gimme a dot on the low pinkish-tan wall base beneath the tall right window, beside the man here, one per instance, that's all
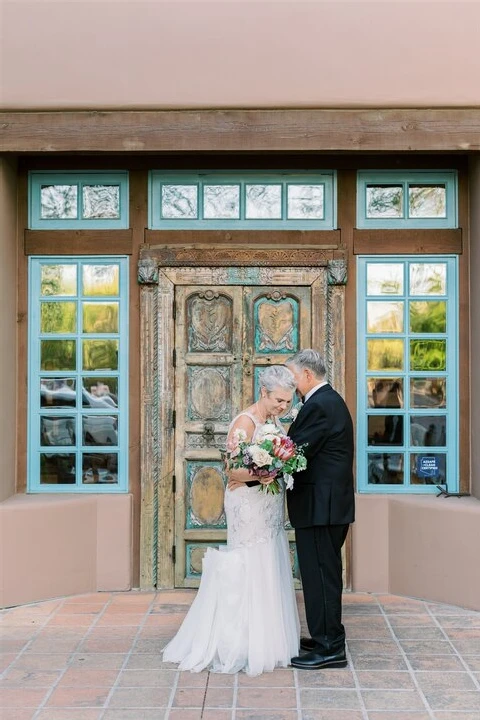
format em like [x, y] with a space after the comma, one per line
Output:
[425, 547]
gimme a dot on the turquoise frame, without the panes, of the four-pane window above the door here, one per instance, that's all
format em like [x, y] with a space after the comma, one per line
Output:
[159, 178]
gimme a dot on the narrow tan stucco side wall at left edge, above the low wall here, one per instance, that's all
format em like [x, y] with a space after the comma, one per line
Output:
[8, 326]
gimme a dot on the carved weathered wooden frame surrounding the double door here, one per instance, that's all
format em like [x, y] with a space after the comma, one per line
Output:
[160, 270]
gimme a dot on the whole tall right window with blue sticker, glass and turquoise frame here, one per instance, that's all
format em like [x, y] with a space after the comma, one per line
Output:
[407, 432]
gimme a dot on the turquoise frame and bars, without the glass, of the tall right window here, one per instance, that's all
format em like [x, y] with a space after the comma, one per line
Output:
[451, 376]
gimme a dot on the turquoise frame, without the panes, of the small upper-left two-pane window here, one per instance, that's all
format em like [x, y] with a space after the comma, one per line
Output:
[37, 178]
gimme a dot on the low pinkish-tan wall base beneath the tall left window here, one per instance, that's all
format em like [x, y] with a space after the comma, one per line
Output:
[56, 545]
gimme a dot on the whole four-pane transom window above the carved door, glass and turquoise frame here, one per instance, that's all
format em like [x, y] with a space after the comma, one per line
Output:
[250, 200]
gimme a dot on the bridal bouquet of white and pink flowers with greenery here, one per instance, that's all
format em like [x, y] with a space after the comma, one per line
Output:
[270, 455]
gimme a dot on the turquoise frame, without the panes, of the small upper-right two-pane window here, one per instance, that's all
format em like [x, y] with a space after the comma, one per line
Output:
[404, 178]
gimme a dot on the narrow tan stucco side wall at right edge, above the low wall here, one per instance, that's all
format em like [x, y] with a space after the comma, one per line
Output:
[475, 318]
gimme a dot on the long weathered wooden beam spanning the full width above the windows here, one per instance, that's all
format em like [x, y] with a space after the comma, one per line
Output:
[398, 130]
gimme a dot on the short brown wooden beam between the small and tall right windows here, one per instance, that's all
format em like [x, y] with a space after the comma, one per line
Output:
[402, 242]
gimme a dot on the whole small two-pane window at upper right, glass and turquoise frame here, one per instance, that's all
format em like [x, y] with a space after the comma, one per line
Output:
[414, 199]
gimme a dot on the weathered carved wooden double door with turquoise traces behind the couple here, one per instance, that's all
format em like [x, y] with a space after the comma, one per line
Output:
[224, 337]
